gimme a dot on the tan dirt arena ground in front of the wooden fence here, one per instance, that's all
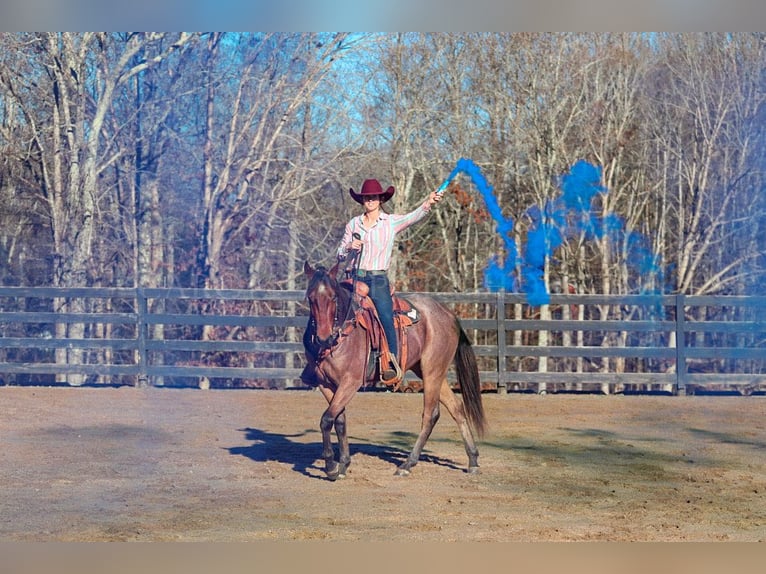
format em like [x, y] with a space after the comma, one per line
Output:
[120, 464]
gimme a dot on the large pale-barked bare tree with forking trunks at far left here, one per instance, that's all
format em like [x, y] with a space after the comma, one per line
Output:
[65, 99]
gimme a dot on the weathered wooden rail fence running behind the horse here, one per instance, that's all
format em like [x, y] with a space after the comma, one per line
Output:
[249, 338]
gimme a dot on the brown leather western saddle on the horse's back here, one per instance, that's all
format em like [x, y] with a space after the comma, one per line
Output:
[405, 315]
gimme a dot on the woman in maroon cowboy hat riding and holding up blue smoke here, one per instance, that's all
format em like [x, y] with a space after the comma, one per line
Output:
[373, 233]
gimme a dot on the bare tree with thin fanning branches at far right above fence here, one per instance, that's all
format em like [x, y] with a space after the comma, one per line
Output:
[708, 92]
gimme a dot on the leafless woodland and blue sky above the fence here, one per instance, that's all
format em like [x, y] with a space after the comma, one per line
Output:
[223, 160]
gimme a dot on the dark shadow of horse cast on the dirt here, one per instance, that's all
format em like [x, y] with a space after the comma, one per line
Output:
[306, 456]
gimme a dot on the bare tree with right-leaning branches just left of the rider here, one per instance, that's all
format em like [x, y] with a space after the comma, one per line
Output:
[257, 91]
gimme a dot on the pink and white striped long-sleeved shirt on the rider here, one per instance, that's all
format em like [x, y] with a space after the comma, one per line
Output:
[379, 239]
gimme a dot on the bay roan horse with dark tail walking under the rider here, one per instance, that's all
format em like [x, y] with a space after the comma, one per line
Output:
[434, 343]
